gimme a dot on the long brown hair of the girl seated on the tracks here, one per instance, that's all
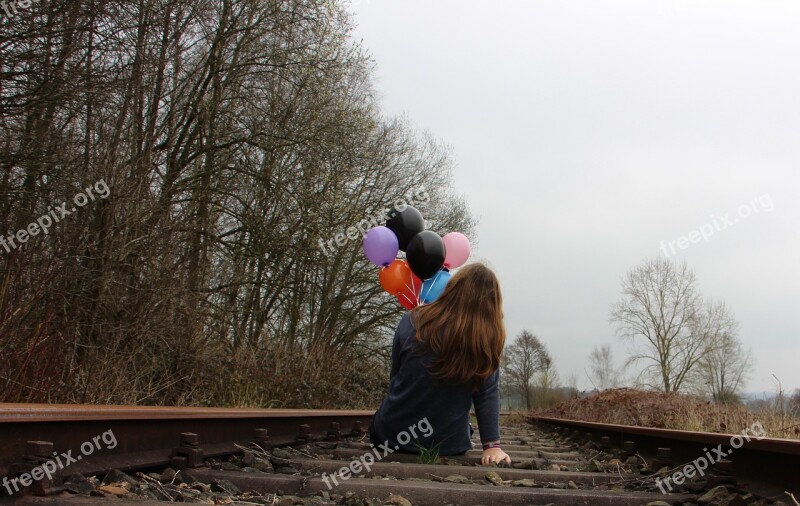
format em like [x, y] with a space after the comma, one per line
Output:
[464, 327]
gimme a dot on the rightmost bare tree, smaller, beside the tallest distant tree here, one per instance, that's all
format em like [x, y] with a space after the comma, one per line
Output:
[724, 369]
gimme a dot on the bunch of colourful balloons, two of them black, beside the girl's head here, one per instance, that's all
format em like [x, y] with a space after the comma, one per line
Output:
[423, 275]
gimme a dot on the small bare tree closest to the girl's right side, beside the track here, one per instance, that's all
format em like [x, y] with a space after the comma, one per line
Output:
[522, 361]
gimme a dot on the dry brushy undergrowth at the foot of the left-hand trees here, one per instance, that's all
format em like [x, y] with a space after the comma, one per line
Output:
[41, 365]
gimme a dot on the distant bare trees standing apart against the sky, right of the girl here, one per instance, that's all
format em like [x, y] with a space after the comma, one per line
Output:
[678, 341]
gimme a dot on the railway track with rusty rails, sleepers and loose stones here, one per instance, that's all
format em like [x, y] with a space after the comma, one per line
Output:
[285, 457]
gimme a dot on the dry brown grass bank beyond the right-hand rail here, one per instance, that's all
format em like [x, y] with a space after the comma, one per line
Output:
[669, 410]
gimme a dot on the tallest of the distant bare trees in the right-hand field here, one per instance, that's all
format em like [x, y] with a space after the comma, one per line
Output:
[657, 316]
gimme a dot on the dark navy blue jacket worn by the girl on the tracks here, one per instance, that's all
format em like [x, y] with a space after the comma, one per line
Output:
[434, 411]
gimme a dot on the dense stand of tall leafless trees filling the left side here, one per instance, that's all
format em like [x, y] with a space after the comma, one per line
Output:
[234, 136]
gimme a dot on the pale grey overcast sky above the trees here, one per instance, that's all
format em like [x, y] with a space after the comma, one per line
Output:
[586, 133]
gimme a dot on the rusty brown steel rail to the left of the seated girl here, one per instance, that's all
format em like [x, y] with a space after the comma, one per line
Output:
[150, 444]
